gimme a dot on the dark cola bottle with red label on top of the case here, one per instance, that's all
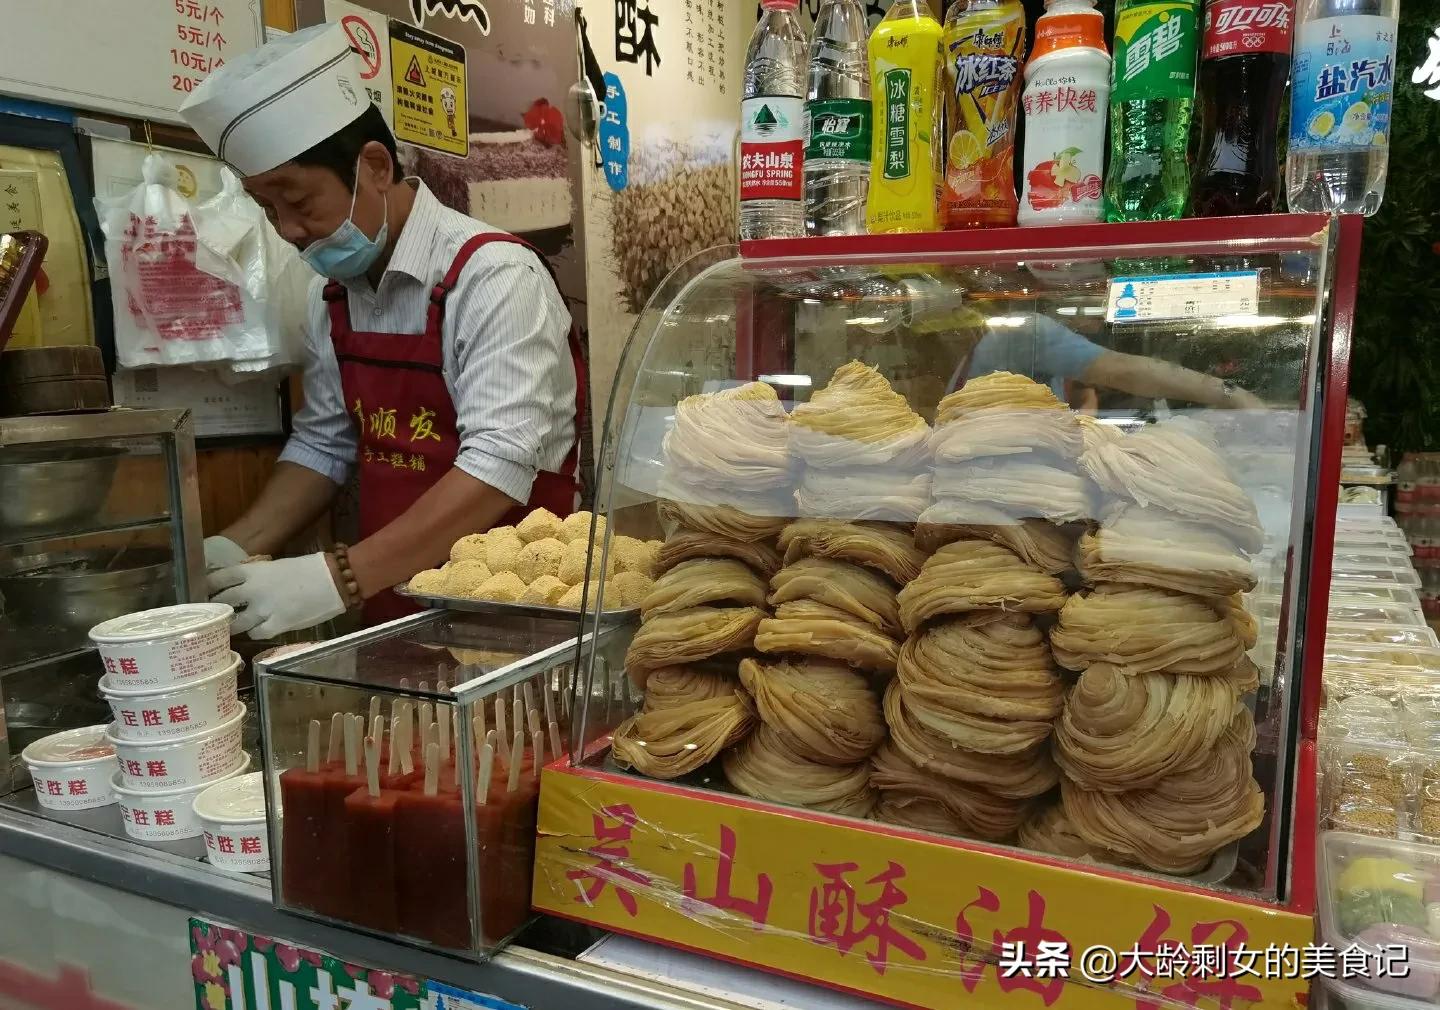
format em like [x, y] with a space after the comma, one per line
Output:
[1243, 67]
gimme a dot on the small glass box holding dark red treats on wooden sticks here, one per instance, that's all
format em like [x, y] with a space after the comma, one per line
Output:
[404, 770]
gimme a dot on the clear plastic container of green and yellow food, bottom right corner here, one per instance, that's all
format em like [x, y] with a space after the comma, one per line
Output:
[1377, 893]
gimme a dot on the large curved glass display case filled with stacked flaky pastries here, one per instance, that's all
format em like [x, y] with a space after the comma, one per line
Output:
[1012, 538]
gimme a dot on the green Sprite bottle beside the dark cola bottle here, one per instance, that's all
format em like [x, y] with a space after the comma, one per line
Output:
[1153, 93]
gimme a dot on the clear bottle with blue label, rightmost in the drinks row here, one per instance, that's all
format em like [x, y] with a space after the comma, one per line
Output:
[1341, 91]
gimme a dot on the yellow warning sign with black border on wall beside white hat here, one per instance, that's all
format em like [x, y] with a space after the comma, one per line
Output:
[428, 77]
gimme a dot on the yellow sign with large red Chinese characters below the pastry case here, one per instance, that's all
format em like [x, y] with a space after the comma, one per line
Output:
[904, 917]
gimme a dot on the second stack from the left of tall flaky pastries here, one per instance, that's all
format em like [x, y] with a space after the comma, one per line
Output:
[836, 623]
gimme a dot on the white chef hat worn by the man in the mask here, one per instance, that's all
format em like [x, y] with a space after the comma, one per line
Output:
[280, 100]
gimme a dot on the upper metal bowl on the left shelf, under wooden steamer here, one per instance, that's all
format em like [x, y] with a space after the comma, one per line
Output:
[44, 489]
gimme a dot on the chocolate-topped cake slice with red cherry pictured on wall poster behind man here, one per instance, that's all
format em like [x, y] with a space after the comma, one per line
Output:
[518, 181]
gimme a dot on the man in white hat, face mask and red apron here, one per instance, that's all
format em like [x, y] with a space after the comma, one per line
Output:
[440, 357]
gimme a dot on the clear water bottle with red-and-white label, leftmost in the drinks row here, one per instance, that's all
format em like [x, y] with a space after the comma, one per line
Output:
[773, 128]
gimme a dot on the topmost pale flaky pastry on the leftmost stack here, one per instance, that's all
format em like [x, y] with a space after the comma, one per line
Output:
[732, 439]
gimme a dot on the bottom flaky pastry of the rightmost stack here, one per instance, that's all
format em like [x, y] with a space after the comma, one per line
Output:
[1180, 823]
